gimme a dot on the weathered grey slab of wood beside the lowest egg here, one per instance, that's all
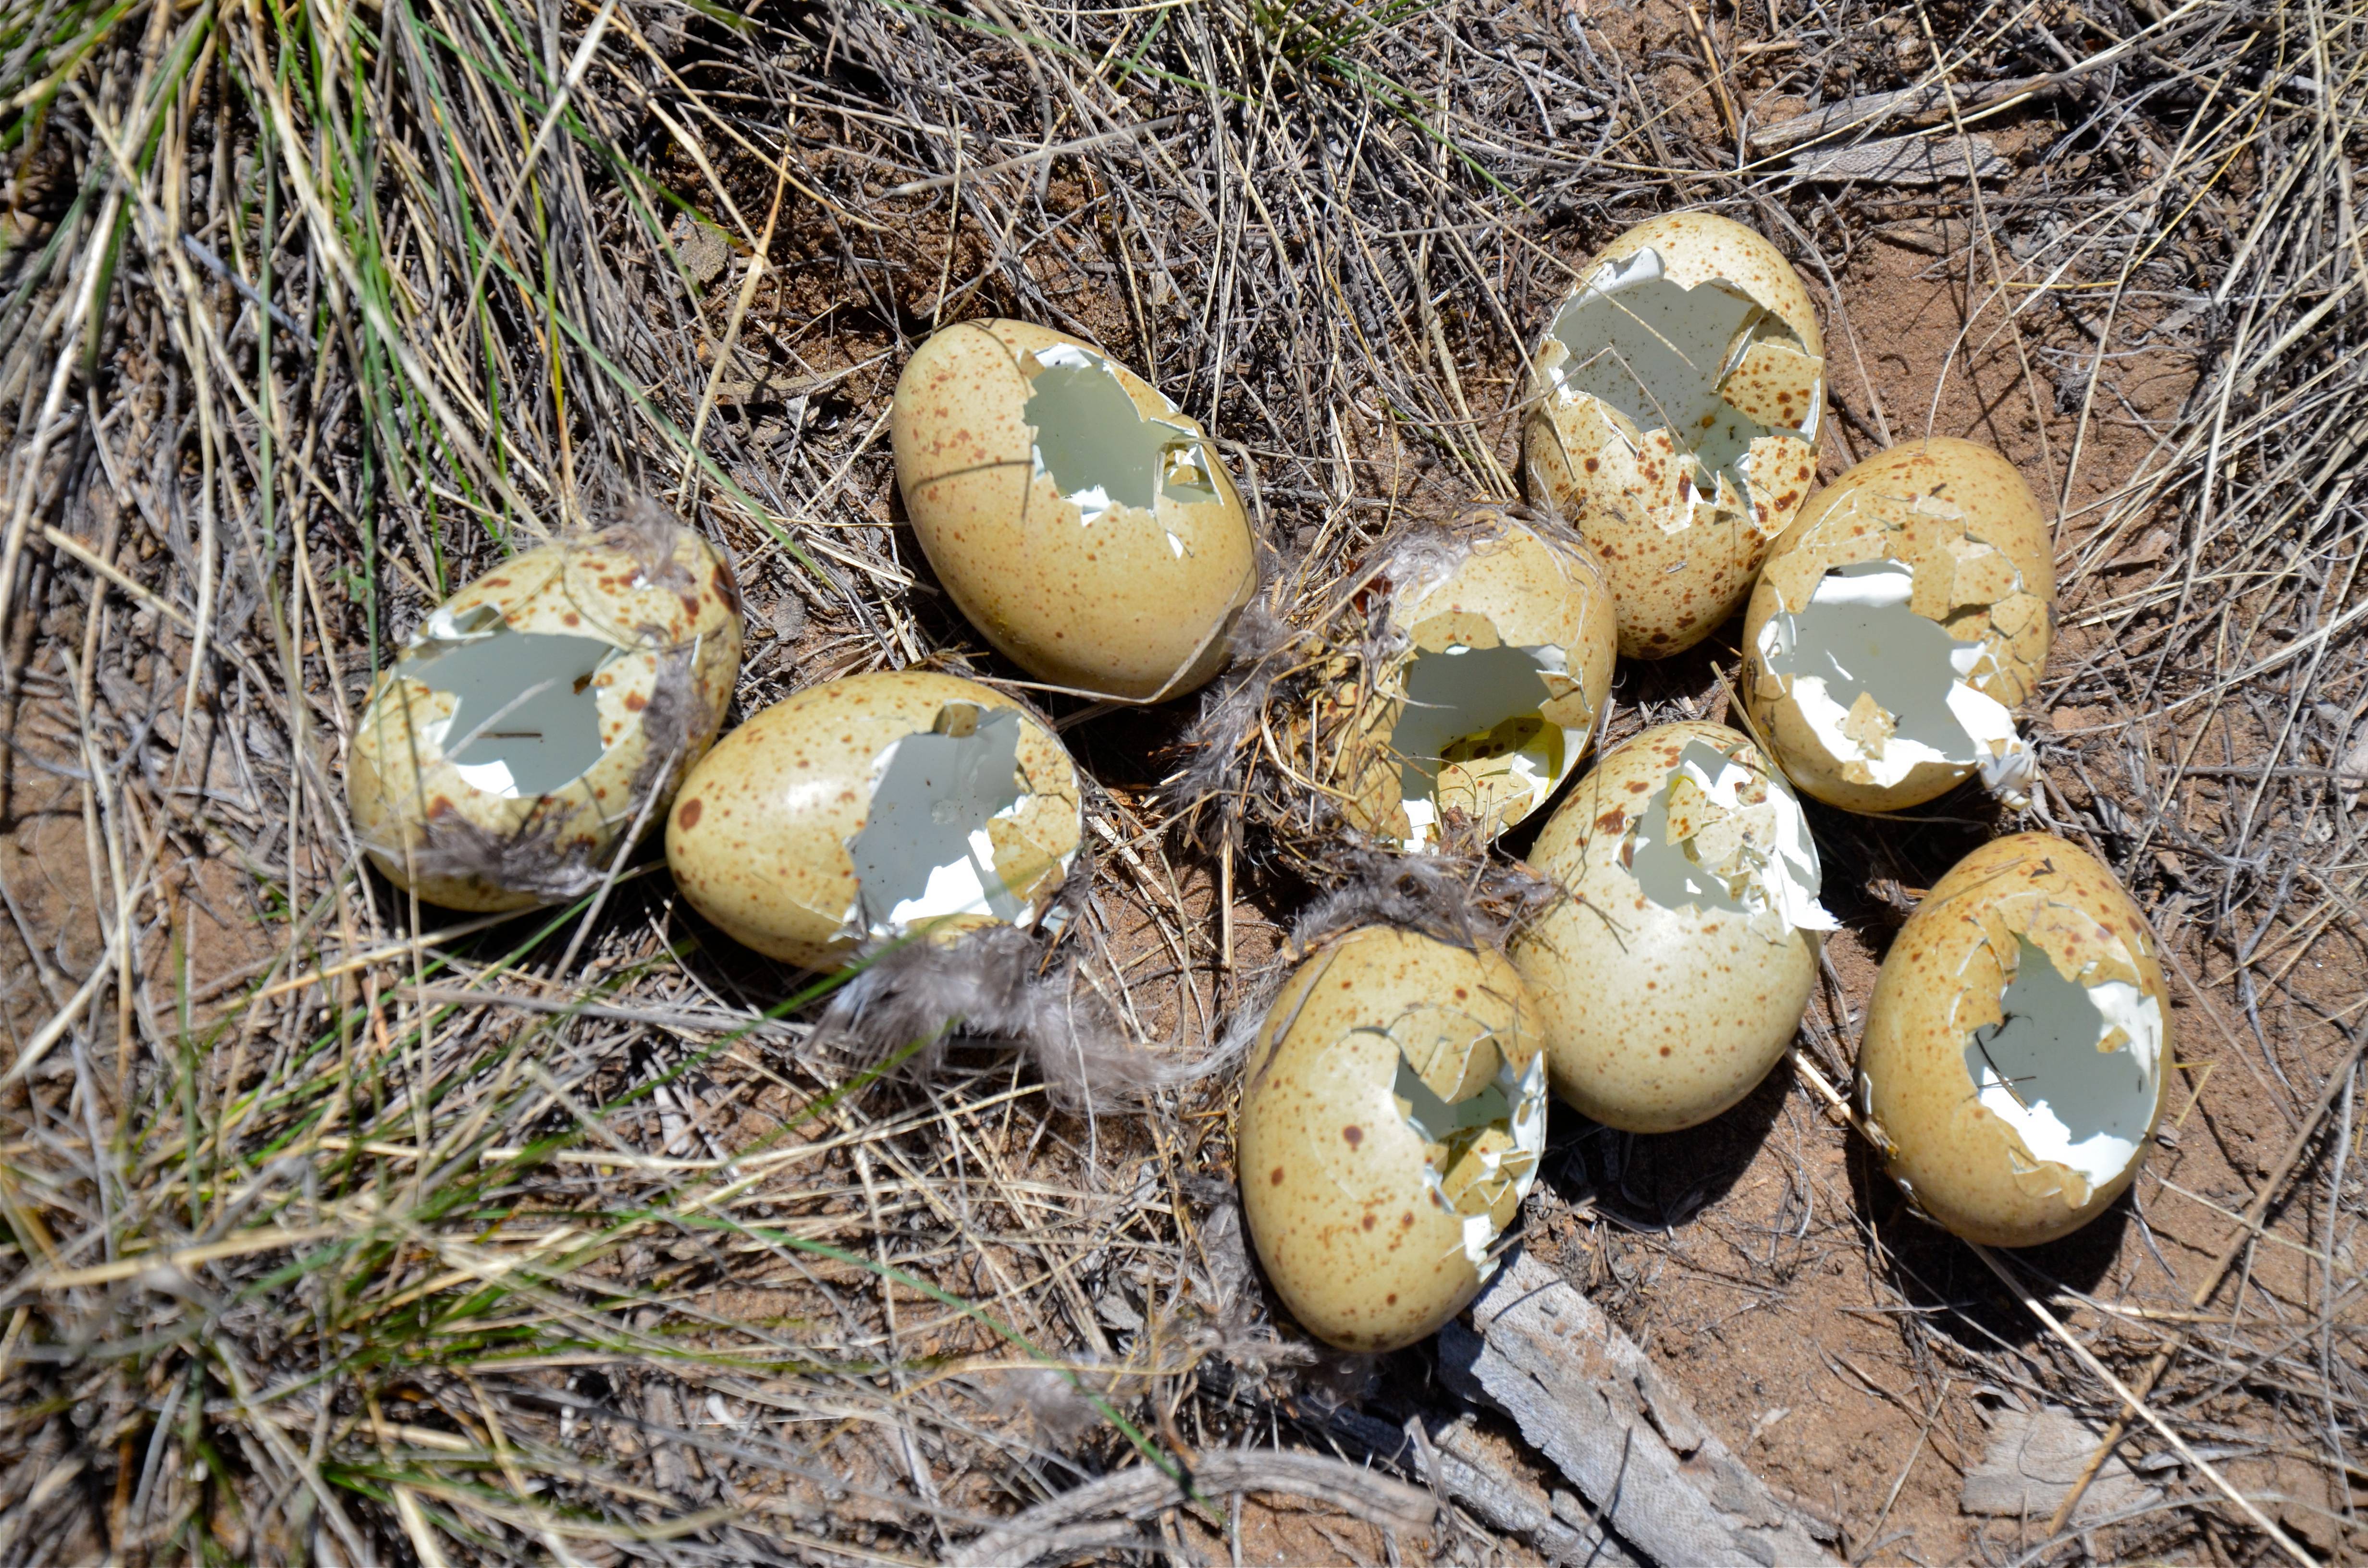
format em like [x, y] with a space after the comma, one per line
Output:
[1588, 1399]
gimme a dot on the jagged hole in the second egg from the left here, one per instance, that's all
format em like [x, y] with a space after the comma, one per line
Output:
[929, 844]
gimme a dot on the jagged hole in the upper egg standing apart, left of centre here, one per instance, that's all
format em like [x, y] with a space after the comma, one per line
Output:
[1098, 446]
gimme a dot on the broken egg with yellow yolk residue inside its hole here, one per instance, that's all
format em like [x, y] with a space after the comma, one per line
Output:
[1517, 596]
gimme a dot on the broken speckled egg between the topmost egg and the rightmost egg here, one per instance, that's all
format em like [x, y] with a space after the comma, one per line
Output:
[1898, 624]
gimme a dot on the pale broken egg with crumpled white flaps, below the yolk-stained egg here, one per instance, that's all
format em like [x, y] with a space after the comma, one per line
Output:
[1678, 970]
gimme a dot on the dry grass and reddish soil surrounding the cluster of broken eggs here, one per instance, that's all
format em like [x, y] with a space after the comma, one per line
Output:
[345, 1230]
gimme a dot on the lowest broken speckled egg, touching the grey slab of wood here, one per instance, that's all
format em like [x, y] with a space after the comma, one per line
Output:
[1370, 1230]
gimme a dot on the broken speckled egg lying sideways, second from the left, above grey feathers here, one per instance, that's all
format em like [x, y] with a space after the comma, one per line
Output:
[766, 835]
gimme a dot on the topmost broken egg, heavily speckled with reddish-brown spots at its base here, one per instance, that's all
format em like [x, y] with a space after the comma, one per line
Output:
[1682, 477]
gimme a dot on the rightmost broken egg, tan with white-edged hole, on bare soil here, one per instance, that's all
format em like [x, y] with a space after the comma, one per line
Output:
[1974, 949]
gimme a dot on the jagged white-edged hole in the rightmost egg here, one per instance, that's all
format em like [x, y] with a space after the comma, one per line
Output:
[2071, 1067]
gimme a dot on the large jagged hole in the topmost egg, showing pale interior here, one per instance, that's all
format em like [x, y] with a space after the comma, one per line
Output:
[1701, 364]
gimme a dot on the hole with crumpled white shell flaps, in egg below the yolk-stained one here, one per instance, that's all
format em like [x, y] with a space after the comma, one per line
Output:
[1720, 835]
